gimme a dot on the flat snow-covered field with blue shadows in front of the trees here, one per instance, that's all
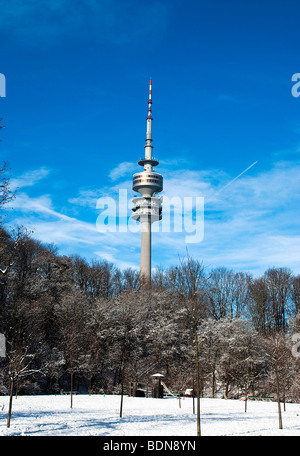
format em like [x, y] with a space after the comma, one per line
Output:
[98, 415]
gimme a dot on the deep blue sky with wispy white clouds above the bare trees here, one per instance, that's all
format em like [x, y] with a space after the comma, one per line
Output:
[77, 75]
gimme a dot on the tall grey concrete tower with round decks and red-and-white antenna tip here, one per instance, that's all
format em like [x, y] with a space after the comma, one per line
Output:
[148, 207]
